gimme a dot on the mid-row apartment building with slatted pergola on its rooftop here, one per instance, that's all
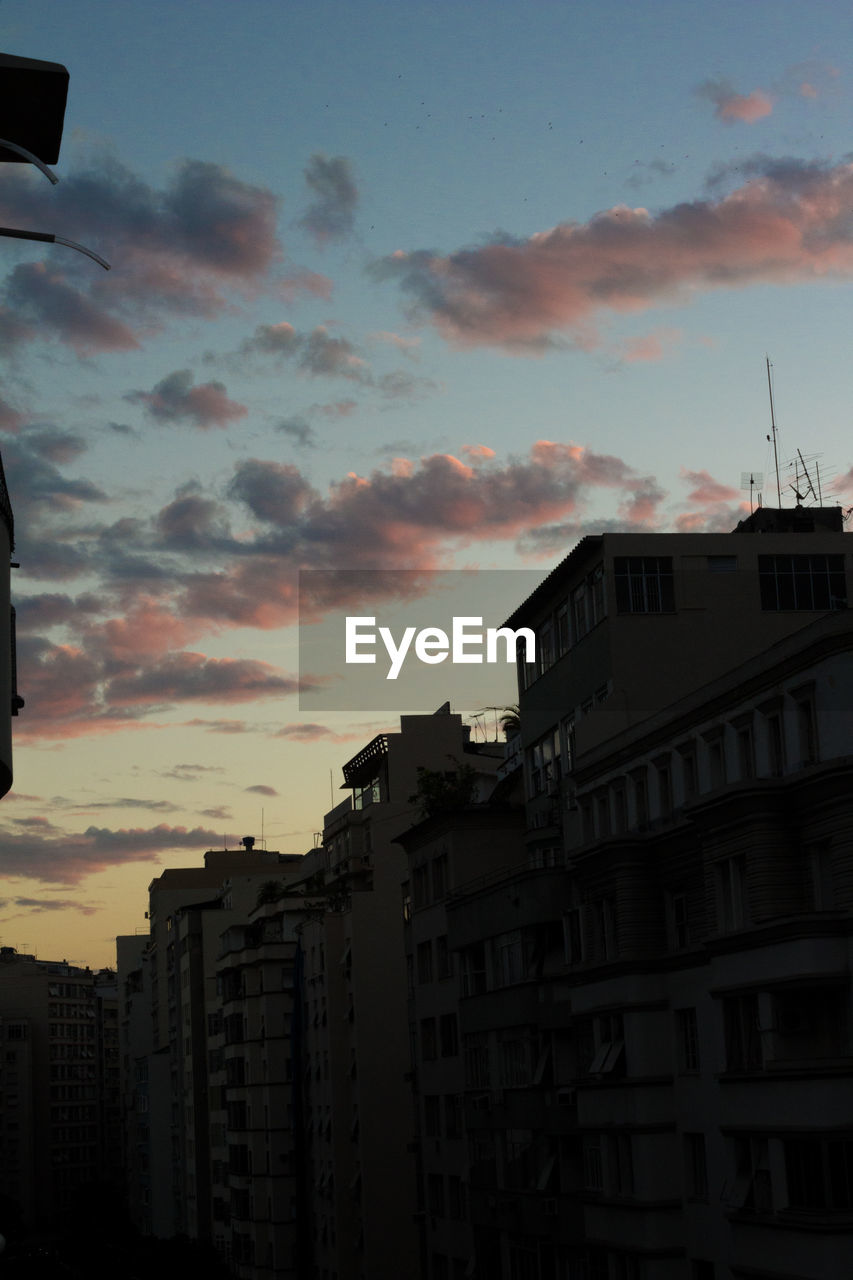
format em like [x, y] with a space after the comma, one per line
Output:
[361, 1122]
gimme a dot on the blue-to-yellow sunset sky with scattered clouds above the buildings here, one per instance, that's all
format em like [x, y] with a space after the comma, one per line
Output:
[394, 287]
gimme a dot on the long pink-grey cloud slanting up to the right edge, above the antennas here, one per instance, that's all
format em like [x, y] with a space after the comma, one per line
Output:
[788, 225]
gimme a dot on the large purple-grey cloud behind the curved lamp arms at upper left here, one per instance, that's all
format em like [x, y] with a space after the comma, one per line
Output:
[184, 250]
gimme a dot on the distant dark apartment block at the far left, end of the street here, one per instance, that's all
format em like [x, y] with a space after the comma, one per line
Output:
[57, 1085]
